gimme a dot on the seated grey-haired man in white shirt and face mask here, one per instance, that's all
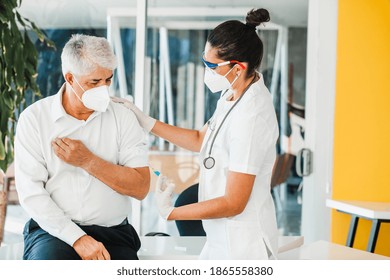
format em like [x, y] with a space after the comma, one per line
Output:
[78, 160]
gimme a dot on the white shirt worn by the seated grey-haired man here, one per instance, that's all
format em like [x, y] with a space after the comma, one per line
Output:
[57, 195]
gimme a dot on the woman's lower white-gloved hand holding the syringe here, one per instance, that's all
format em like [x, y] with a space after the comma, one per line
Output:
[163, 196]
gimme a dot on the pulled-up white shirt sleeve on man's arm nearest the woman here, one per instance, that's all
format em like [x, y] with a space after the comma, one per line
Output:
[133, 143]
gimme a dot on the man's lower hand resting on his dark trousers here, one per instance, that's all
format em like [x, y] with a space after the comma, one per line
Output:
[90, 249]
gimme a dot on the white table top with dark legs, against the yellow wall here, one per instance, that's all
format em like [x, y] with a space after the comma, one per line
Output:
[372, 210]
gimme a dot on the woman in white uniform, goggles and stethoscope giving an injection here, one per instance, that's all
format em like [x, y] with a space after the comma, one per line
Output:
[237, 148]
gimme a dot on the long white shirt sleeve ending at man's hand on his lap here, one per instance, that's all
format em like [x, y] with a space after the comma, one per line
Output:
[31, 175]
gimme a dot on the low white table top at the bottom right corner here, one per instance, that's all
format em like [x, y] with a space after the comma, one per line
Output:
[324, 250]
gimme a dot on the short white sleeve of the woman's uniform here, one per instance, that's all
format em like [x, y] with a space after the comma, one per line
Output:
[250, 141]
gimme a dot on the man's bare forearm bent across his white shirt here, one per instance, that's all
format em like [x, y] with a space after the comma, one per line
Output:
[132, 182]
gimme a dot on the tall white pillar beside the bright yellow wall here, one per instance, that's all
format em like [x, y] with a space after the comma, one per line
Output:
[320, 96]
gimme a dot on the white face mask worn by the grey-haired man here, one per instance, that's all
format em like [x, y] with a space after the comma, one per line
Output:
[96, 99]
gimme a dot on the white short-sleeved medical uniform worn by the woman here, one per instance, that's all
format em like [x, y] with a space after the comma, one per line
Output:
[246, 144]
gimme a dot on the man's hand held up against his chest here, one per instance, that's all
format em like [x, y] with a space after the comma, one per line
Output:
[73, 152]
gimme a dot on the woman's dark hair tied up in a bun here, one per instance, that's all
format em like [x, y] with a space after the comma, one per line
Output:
[235, 40]
